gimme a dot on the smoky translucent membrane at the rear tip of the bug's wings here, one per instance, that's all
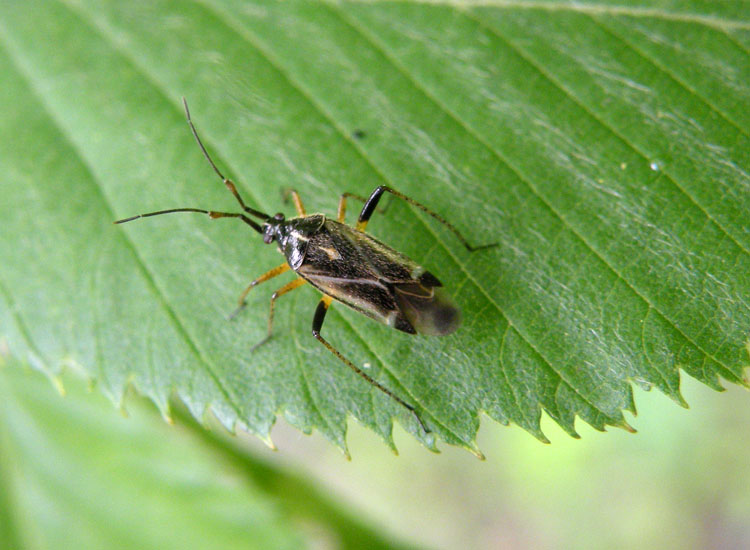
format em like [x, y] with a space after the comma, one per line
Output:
[429, 310]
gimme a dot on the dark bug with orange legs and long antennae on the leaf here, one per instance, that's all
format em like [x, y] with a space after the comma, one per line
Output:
[347, 265]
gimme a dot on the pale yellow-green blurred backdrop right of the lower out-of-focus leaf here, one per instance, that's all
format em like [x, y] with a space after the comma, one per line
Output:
[680, 482]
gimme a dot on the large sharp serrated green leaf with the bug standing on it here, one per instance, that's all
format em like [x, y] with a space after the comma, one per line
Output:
[604, 146]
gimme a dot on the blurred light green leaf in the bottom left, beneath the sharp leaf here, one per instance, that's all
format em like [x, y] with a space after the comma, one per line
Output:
[76, 475]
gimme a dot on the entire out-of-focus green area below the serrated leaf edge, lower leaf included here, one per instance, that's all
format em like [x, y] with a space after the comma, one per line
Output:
[683, 481]
